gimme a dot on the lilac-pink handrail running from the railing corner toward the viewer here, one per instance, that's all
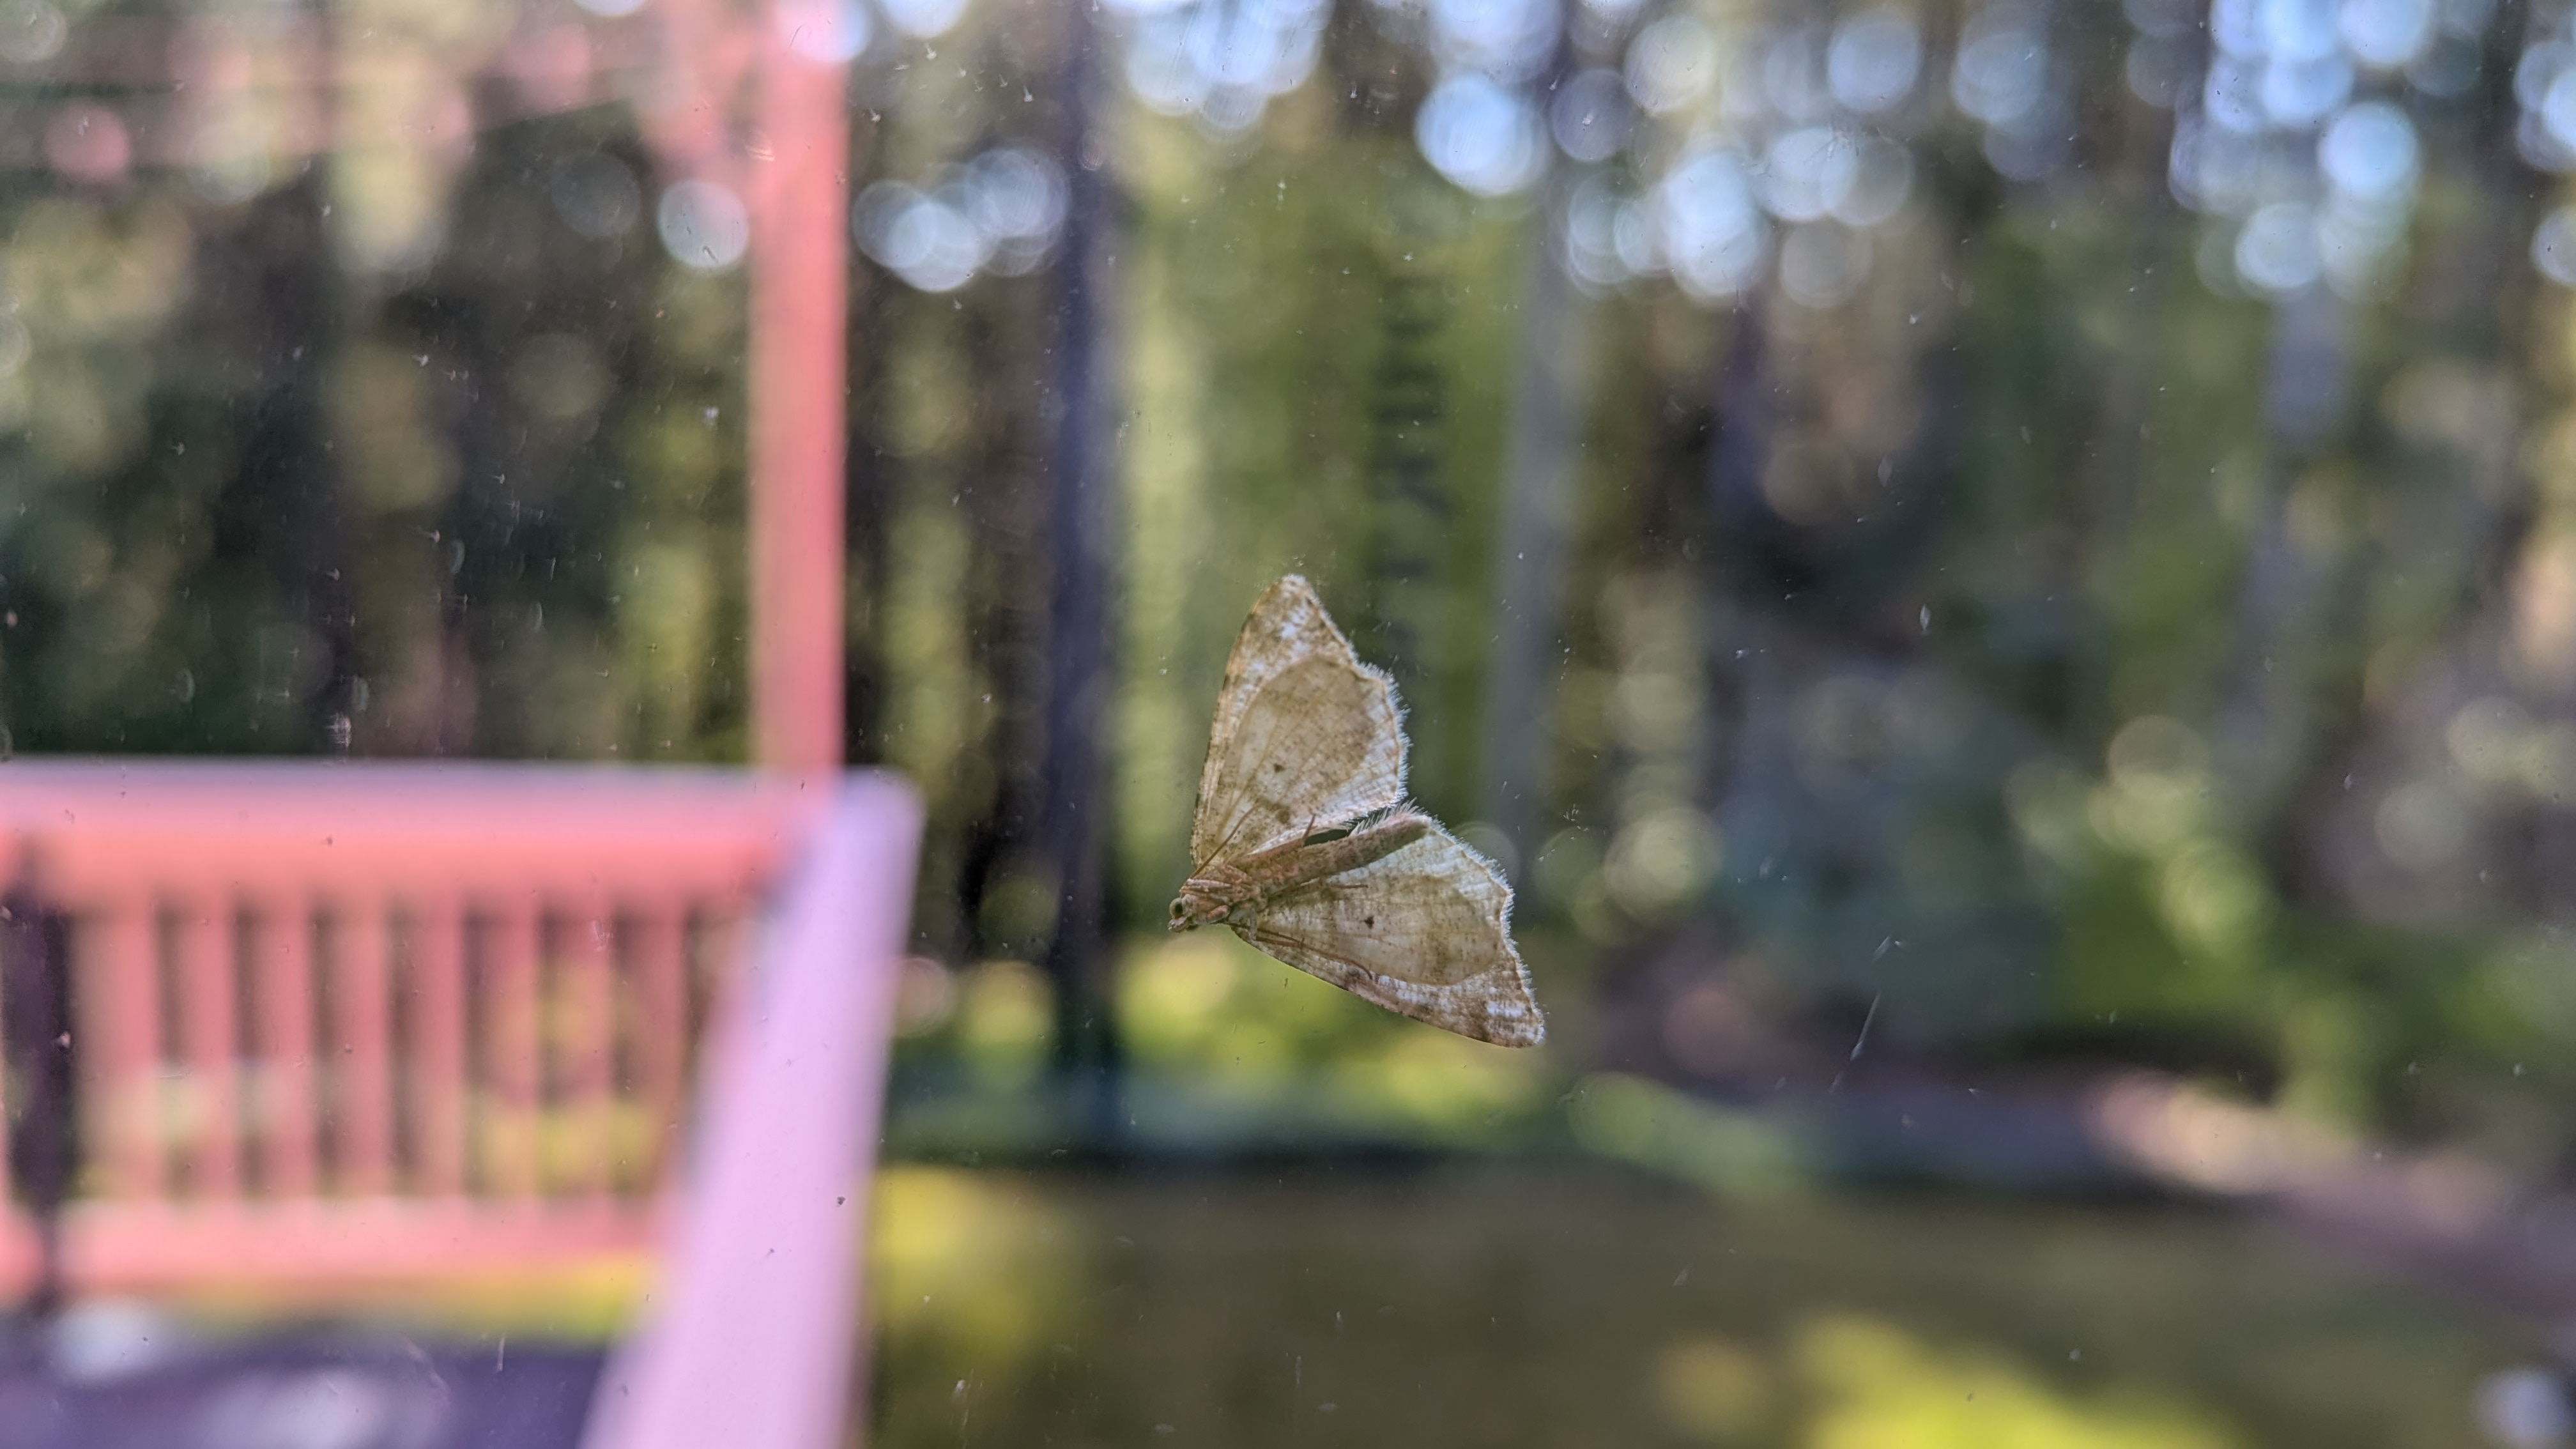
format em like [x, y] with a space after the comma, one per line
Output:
[751, 1337]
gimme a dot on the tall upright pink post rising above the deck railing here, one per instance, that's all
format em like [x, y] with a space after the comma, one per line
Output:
[797, 385]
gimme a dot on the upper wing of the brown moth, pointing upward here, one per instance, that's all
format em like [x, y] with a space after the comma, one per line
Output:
[1305, 734]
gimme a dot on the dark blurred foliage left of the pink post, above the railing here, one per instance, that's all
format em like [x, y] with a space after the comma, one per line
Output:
[261, 504]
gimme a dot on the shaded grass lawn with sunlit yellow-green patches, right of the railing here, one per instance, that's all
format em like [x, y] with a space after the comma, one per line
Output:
[1575, 1306]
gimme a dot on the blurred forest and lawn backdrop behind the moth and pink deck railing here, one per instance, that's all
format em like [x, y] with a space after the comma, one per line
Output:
[2000, 576]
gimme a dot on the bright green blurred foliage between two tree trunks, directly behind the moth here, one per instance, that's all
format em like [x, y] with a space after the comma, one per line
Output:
[1341, 424]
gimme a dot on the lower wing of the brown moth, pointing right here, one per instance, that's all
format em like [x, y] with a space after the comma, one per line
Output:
[1423, 932]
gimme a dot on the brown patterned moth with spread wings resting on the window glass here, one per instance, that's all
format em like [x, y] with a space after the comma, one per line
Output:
[1307, 850]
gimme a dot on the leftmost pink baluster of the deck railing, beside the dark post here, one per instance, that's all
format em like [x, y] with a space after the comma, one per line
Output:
[120, 1020]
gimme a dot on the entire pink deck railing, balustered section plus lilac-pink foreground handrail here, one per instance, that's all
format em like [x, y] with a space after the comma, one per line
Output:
[753, 1332]
